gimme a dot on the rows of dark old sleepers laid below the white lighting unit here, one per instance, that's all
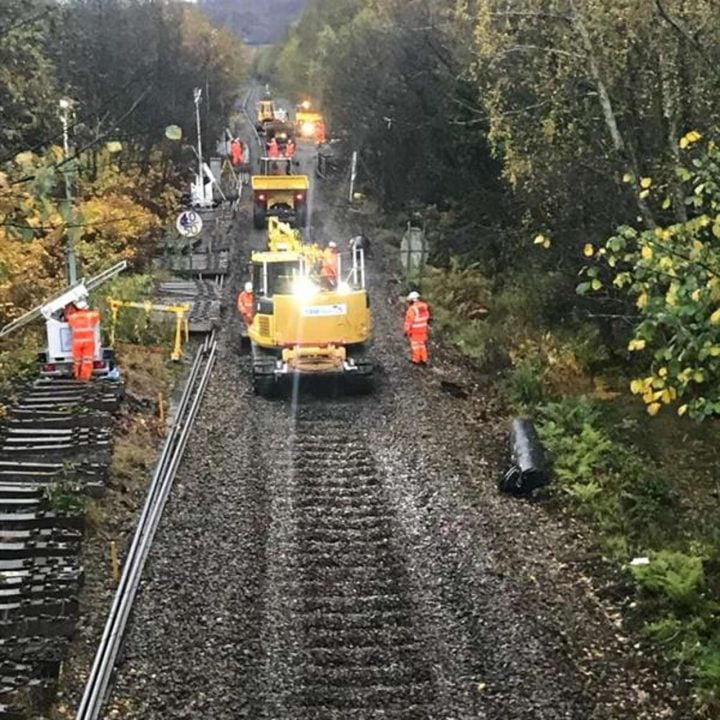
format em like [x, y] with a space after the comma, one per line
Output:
[55, 443]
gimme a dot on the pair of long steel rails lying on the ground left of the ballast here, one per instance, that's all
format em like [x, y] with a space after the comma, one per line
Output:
[98, 682]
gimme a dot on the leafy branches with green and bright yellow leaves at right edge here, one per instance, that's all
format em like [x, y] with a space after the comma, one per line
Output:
[672, 272]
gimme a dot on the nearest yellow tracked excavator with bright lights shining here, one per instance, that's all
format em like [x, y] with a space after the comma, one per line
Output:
[303, 328]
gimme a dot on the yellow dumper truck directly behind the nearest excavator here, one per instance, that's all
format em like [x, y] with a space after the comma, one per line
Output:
[282, 196]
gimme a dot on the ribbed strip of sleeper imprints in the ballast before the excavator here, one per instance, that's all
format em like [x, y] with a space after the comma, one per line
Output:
[361, 652]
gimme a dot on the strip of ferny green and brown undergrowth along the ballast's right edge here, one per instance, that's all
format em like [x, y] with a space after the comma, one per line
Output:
[640, 509]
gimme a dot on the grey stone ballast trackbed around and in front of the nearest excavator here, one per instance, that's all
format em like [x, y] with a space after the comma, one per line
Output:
[349, 558]
